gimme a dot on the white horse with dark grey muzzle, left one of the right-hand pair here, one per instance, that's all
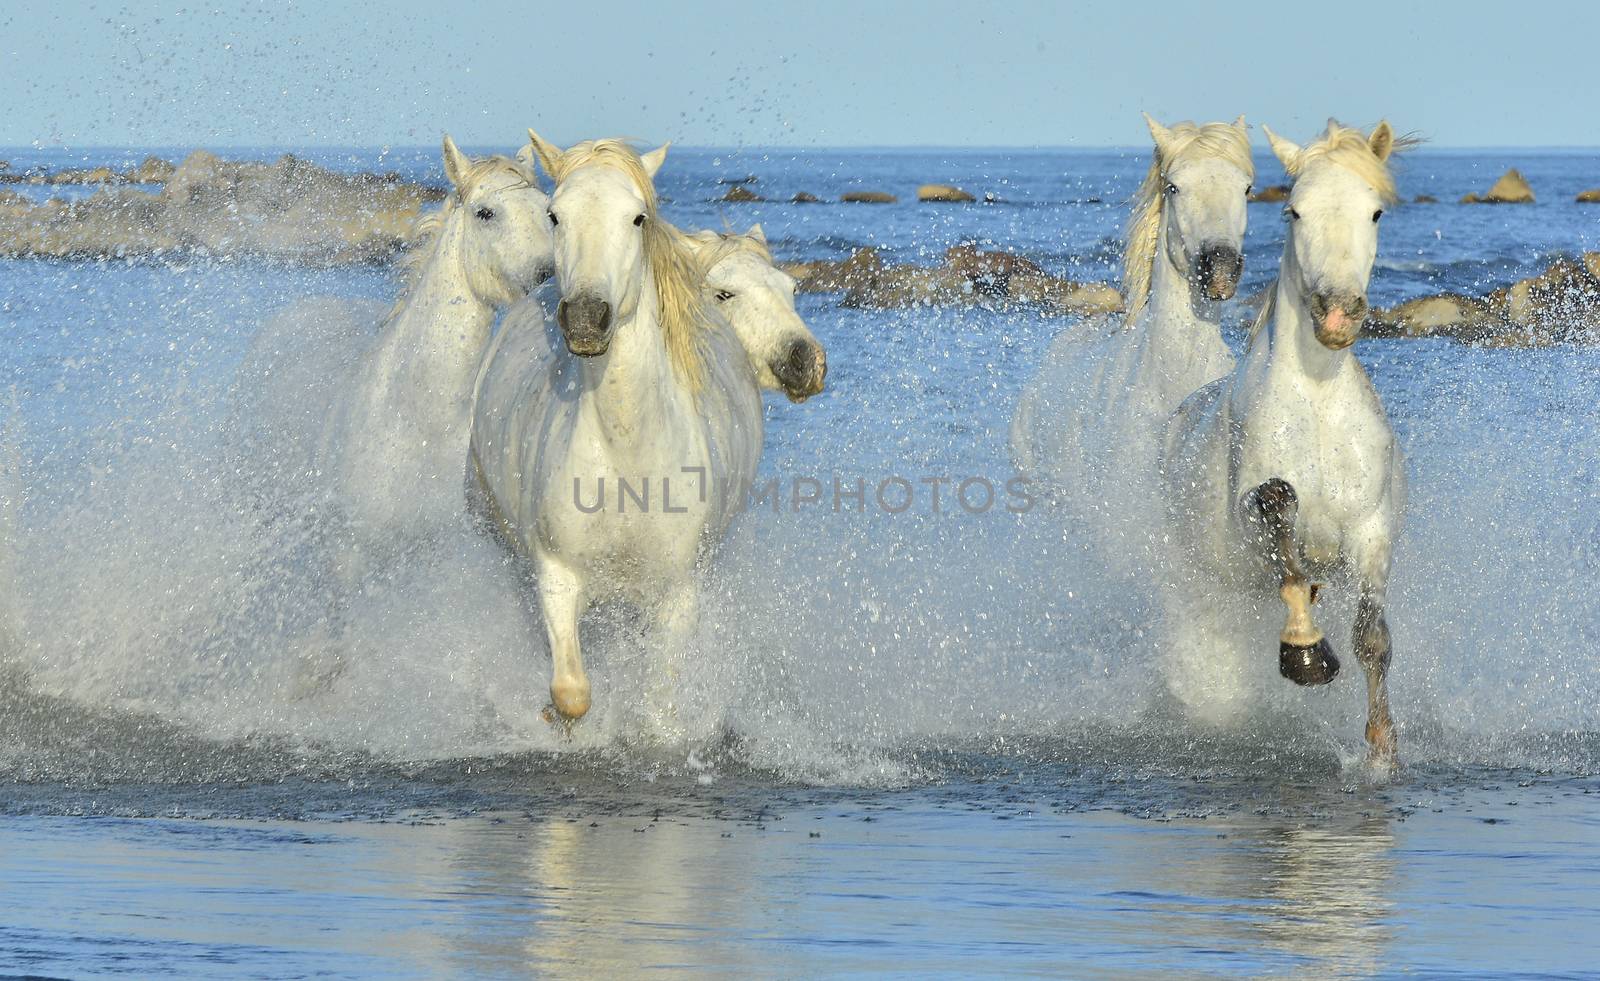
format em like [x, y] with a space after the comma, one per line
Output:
[1090, 423]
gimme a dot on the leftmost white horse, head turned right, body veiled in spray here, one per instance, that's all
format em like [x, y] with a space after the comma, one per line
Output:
[399, 441]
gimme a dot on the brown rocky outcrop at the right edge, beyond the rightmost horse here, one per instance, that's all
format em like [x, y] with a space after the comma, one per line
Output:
[1559, 306]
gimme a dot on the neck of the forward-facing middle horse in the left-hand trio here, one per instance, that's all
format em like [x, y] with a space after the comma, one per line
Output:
[631, 388]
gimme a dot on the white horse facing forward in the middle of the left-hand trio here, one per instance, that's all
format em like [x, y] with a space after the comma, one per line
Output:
[618, 452]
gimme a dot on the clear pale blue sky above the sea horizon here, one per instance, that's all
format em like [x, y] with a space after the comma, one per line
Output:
[775, 74]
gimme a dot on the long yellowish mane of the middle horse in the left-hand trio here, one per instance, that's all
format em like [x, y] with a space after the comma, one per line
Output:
[679, 270]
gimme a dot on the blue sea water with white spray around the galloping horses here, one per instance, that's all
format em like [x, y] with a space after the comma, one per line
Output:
[922, 743]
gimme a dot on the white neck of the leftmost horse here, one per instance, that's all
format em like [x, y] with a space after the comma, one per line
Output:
[442, 324]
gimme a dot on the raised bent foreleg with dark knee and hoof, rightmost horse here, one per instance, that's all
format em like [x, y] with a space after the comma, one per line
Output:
[1305, 655]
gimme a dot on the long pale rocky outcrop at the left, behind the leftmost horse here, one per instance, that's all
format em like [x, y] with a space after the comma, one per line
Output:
[289, 210]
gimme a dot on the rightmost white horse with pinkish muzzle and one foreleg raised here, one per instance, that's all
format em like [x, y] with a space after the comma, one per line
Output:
[1289, 466]
